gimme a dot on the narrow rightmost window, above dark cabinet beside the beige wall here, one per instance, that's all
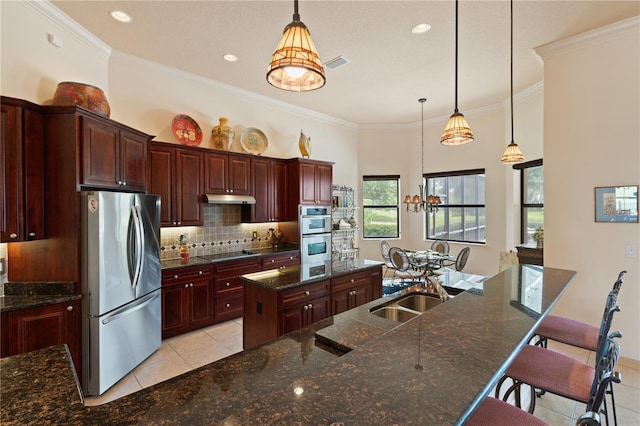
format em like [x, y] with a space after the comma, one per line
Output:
[531, 198]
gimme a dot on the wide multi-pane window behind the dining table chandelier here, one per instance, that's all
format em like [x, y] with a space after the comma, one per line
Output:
[461, 216]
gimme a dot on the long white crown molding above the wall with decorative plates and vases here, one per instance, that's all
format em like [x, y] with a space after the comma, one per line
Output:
[249, 96]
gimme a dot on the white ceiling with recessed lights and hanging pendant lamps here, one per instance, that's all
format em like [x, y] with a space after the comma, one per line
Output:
[389, 67]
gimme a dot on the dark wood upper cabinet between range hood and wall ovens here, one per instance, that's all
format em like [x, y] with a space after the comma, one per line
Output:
[269, 187]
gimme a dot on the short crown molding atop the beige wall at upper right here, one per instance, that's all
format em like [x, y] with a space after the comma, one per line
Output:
[599, 35]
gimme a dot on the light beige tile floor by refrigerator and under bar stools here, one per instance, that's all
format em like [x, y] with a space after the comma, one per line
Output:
[180, 354]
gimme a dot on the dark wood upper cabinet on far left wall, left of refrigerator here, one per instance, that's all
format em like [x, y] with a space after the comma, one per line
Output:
[21, 166]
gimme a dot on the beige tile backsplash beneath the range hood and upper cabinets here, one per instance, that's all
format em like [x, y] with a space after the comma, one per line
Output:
[222, 233]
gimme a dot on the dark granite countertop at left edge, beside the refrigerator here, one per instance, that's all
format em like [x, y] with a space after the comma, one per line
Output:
[34, 294]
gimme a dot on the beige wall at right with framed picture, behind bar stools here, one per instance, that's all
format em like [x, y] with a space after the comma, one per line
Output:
[592, 138]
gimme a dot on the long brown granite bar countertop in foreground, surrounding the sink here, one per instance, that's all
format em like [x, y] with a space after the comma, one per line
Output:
[462, 346]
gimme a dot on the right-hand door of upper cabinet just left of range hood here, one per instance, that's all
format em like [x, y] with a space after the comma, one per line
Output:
[189, 188]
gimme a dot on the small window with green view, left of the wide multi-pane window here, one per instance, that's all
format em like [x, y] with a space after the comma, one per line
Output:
[380, 206]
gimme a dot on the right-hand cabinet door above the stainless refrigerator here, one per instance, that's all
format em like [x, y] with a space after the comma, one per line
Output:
[133, 161]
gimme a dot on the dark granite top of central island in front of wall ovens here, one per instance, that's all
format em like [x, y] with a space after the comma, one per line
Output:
[295, 276]
